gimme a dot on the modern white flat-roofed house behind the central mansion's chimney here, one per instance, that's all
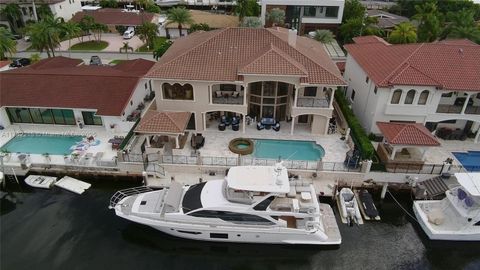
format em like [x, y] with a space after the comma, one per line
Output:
[306, 15]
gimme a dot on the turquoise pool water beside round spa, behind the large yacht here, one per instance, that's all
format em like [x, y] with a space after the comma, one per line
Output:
[288, 150]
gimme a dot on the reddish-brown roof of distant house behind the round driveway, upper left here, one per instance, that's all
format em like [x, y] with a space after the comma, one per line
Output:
[114, 16]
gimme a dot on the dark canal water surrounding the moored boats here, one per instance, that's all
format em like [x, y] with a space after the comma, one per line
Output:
[56, 229]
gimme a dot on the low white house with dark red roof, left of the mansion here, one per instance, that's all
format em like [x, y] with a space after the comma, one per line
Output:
[63, 91]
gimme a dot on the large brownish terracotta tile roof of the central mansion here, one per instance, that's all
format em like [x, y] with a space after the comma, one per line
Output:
[219, 56]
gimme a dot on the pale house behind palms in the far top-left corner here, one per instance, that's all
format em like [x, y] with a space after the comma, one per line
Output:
[60, 8]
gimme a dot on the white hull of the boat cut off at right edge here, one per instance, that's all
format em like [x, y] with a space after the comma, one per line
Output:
[436, 234]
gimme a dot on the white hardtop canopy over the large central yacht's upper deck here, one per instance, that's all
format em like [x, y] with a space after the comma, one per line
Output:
[272, 179]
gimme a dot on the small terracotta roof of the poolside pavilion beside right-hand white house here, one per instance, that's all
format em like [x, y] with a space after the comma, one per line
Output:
[407, 134]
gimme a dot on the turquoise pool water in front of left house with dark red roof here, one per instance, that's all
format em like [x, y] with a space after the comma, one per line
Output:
[41, 144]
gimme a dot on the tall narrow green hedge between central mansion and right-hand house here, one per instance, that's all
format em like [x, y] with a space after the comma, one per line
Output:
[359, 136]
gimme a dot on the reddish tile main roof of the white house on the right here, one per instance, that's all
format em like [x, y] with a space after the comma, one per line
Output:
[451, 65]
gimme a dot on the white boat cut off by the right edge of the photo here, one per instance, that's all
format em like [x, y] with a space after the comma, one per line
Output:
[457, 216]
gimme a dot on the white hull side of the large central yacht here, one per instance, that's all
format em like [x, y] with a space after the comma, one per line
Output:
[214, 233]
